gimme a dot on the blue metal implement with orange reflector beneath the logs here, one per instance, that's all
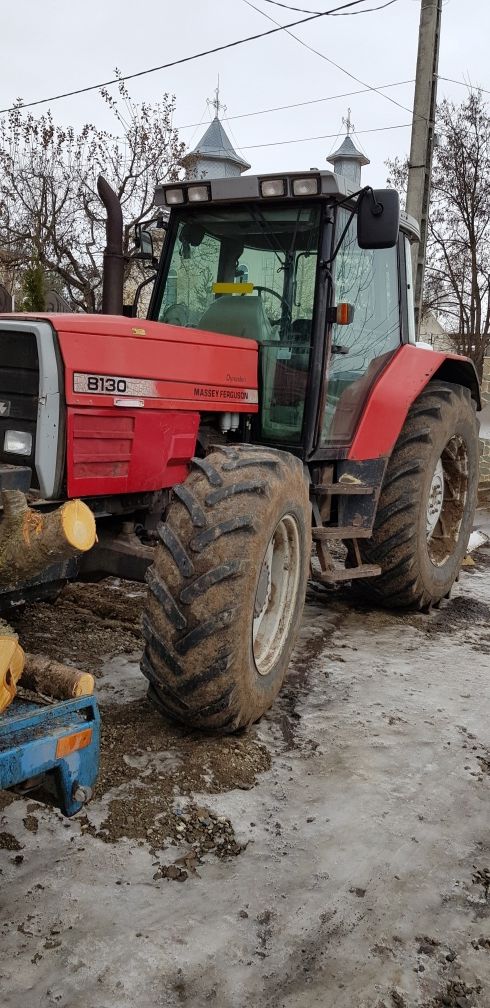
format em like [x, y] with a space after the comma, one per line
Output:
[60, 740]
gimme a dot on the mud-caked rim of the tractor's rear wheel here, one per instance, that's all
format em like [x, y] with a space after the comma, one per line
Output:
[447, 501]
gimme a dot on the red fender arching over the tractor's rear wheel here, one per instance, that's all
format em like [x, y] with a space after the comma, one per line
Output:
[402, 382]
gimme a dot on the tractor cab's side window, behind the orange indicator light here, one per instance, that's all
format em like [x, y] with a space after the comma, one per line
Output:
[367, 280]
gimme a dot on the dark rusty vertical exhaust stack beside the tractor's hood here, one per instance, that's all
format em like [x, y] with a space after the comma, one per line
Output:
[113, 272]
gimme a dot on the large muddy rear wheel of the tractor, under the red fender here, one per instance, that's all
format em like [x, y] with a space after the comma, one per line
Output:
[427, 505]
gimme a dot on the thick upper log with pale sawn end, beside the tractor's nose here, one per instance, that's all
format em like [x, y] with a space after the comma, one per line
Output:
[33, 541]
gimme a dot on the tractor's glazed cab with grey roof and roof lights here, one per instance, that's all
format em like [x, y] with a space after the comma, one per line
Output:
[319, 278]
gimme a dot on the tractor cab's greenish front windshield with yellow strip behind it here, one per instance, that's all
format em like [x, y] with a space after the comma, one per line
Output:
[251, 272]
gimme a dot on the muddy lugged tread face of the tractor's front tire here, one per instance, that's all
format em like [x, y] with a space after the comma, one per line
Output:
[207, 550]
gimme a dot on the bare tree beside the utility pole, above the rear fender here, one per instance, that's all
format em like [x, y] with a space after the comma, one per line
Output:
[458, 262]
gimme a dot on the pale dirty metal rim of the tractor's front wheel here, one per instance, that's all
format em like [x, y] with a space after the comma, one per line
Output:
[277, 594]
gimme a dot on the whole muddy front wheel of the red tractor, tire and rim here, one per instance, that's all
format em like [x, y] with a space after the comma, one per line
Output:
[227, 588]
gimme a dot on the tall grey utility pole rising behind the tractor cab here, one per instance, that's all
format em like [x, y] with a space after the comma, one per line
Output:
[423, 132]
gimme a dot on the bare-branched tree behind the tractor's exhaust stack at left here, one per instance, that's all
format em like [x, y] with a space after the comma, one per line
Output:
[50, 210]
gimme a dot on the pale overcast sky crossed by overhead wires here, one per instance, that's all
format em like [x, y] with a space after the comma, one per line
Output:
[56, 46]
